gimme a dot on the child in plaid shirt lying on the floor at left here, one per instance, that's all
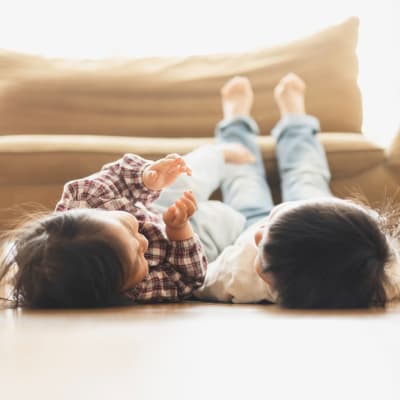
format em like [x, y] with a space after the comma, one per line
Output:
[111, 242]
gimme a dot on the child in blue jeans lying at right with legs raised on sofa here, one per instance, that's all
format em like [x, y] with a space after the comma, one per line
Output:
[313, 250]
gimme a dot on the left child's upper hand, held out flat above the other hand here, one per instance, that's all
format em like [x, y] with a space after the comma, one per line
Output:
[163, 173]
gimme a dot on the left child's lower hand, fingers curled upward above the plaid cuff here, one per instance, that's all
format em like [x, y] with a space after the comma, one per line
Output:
[177, 216]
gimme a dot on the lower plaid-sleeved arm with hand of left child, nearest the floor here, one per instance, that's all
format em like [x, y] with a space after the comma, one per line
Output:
[186, 264]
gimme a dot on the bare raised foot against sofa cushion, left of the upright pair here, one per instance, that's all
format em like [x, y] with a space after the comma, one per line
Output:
[237, 97]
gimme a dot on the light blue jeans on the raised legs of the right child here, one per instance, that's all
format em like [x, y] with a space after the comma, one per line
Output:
[302, 163]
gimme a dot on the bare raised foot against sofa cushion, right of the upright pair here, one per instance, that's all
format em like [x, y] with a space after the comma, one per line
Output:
[289, 95]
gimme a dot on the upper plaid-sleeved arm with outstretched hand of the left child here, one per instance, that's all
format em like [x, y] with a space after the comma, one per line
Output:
[119, 185]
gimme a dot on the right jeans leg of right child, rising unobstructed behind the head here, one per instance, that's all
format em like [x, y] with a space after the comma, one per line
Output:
[303, 167]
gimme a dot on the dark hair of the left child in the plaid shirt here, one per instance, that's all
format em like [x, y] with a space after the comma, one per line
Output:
[62, 261]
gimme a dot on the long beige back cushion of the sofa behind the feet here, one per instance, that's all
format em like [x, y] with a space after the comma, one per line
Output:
[176, 96]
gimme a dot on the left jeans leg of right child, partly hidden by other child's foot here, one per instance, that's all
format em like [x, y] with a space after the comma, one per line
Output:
[244, 186]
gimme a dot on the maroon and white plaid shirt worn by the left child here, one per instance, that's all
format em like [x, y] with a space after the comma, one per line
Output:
[176, 268]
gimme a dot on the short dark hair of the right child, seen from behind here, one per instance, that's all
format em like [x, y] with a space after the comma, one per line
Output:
[324, 255]
